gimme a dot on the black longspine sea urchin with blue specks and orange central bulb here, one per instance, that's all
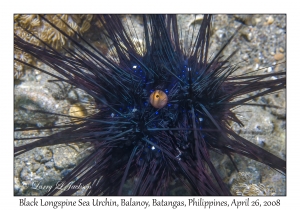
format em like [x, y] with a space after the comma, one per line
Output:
[163, 105]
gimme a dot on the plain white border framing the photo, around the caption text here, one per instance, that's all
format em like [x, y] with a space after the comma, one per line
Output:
[153, 6]
